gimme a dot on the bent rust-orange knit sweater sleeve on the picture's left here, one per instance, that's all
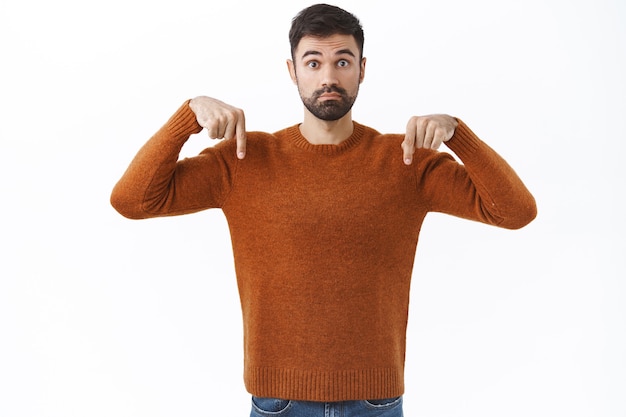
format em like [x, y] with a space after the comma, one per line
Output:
[157, 183]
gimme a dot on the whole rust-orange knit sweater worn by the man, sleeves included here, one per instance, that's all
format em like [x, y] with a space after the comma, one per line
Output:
[324, 240]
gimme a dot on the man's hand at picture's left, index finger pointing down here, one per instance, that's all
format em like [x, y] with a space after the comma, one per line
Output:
[222, 121]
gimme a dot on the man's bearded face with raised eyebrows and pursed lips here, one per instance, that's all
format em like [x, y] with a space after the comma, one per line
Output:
[328, 73]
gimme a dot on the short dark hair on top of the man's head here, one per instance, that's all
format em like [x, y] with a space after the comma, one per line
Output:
[324, 20]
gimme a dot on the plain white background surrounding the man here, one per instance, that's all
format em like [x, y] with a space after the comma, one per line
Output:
[104, 316]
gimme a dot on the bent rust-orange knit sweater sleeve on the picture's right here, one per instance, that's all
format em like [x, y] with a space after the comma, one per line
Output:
[483, 188]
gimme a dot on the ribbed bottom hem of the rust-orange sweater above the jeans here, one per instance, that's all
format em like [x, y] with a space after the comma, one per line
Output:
[327, 386]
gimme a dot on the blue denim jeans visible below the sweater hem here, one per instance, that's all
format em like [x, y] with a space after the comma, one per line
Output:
[274, 407]
